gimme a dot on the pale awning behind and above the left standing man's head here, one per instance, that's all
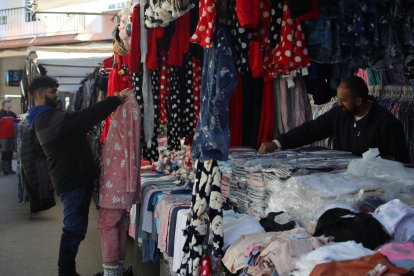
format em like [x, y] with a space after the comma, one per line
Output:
[70, 64]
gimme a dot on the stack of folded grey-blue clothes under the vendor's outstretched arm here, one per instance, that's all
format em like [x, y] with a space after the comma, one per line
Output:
[248, 187]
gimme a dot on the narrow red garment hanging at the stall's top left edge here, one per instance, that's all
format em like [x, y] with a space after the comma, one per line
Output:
[135, 51]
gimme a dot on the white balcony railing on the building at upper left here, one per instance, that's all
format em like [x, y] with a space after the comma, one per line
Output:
[21, 23]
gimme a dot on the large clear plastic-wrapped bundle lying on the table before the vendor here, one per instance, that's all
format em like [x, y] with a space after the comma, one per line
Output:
[306, 197]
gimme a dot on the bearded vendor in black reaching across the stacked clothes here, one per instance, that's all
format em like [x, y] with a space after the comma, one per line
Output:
[356, 124]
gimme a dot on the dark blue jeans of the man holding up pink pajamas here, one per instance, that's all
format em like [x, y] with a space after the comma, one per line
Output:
[75, 223]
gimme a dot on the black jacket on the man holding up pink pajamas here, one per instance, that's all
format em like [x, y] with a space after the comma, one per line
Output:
[62, 136]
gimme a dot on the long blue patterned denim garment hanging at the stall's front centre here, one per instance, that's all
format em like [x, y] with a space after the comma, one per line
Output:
[212, 135]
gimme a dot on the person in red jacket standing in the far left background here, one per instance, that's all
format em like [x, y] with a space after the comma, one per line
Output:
[7, 136]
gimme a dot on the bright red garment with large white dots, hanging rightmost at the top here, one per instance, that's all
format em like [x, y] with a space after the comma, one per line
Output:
[291, 52]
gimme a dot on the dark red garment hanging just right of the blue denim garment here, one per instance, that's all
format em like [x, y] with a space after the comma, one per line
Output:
[236, 114]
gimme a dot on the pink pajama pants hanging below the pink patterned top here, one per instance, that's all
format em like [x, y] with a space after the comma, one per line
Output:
[113, 232]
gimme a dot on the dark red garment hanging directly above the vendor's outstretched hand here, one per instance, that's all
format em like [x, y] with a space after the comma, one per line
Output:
[267, 117]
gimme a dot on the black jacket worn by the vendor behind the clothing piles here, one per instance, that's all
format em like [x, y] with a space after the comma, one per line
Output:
[378, 129]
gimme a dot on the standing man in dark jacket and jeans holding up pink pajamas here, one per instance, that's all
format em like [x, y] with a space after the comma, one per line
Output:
[62, 136]
